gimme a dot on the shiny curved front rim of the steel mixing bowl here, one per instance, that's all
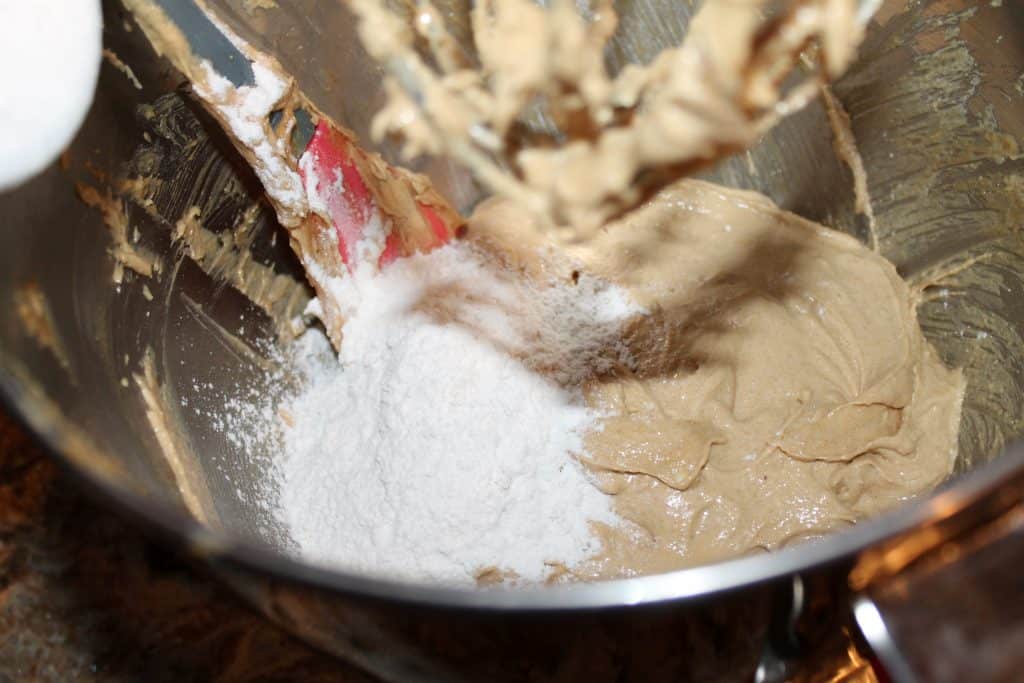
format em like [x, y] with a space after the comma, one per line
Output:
[222, 550]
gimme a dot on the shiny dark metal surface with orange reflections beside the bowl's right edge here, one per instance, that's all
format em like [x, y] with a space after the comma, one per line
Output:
[944, 602]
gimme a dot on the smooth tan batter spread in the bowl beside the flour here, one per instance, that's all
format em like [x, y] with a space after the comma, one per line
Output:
[779, 389]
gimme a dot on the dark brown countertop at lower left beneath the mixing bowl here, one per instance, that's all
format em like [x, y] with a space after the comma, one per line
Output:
[86, 597]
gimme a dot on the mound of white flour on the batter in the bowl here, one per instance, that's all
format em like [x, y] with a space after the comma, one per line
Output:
[431, 453]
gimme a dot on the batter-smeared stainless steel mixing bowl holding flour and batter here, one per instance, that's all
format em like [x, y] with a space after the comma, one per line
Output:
[937, 108]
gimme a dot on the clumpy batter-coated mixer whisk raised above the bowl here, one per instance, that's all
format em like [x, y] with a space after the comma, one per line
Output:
[620, 137]
